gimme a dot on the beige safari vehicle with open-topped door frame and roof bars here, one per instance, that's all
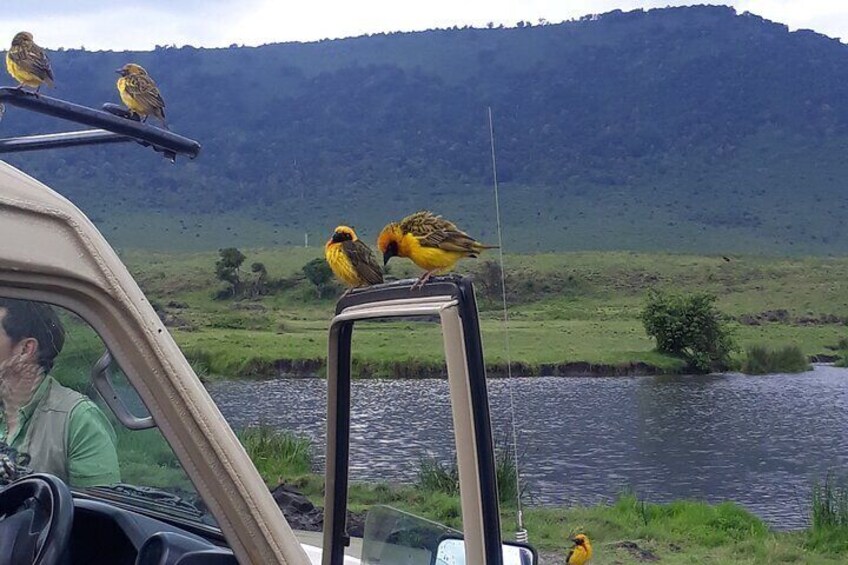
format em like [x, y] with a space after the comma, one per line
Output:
[52, 253]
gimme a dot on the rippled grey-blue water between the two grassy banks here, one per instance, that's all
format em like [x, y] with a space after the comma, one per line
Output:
[759, 441]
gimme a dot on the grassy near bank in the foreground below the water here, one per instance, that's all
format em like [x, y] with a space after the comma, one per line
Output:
[627, 530]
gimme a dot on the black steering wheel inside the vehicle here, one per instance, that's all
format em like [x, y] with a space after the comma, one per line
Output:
[36, 515]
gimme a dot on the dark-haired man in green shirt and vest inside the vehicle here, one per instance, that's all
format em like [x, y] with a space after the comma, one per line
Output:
[58, 430]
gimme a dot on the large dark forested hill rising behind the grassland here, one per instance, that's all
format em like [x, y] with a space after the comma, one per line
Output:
[682, 129]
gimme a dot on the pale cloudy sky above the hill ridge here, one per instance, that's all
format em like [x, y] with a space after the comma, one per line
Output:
[143, 24]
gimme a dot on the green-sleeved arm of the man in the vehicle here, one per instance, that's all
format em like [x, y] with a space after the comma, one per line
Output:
[92, 455]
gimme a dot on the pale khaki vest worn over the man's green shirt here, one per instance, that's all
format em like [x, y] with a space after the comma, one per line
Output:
[46, 437]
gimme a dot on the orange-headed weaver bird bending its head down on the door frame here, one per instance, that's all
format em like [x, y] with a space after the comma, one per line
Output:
[431, 242]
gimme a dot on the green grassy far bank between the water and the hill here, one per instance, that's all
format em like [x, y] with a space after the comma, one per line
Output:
[570, 314]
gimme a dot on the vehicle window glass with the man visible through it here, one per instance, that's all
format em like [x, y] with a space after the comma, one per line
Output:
[54, 421]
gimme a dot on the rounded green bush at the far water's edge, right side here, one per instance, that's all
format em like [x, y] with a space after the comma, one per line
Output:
[689, 326]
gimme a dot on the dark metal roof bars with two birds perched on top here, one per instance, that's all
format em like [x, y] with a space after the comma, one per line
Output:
[113, 125]
